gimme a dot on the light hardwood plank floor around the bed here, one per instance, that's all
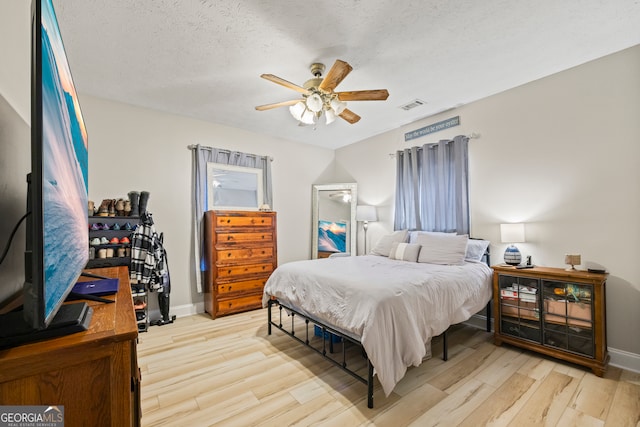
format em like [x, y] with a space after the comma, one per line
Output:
[229, 372]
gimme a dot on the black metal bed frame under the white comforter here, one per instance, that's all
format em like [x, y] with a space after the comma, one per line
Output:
[327, 335]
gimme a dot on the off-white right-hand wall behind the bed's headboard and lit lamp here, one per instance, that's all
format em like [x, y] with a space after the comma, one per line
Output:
[560, 154]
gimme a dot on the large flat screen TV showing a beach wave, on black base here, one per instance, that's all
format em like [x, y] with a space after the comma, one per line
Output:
[57, 232]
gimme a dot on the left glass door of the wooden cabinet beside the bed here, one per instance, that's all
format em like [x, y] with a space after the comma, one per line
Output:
[520, 307]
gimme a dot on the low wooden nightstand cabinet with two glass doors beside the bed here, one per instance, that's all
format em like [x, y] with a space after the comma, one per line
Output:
[553, 311]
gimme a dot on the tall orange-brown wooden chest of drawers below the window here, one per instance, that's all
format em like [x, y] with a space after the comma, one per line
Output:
[240, 254]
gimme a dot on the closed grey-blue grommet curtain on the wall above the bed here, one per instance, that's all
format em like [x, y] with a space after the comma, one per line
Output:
[432, 187]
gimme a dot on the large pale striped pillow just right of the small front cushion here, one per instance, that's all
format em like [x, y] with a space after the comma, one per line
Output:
[443, 249]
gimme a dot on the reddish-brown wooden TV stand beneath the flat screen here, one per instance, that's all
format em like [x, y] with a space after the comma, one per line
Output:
[93, 374]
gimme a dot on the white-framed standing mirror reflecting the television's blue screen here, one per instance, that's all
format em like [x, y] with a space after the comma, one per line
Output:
[333, 219]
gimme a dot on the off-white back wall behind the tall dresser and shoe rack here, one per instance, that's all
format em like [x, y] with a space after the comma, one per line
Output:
[133, 148]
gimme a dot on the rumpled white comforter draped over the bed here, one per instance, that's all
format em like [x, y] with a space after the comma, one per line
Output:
[393, 307]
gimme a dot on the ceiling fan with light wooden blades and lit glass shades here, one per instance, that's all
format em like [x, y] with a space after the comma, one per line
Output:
[318, 95]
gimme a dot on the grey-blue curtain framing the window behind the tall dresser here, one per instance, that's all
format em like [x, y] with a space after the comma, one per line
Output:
[202, 156]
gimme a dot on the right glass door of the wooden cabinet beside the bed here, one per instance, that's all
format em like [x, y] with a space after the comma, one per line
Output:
[568, 316]
